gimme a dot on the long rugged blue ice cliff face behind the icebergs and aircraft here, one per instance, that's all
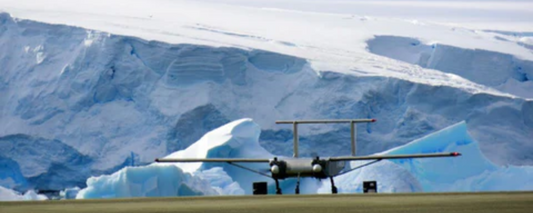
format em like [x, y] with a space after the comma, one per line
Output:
[106, 101]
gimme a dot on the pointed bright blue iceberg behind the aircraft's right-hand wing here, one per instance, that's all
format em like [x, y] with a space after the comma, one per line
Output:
[470, 172]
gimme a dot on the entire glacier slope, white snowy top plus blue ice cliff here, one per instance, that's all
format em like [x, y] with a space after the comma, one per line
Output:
[137, 82]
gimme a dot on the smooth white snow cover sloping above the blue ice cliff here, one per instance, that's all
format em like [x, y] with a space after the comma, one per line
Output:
[332, 41]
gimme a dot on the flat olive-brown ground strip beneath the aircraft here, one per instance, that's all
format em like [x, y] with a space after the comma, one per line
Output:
[415, 202]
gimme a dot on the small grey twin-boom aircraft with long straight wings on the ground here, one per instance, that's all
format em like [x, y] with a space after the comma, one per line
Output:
[316, 167]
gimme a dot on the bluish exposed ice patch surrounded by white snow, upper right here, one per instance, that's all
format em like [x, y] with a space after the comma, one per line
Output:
[507, 73]
